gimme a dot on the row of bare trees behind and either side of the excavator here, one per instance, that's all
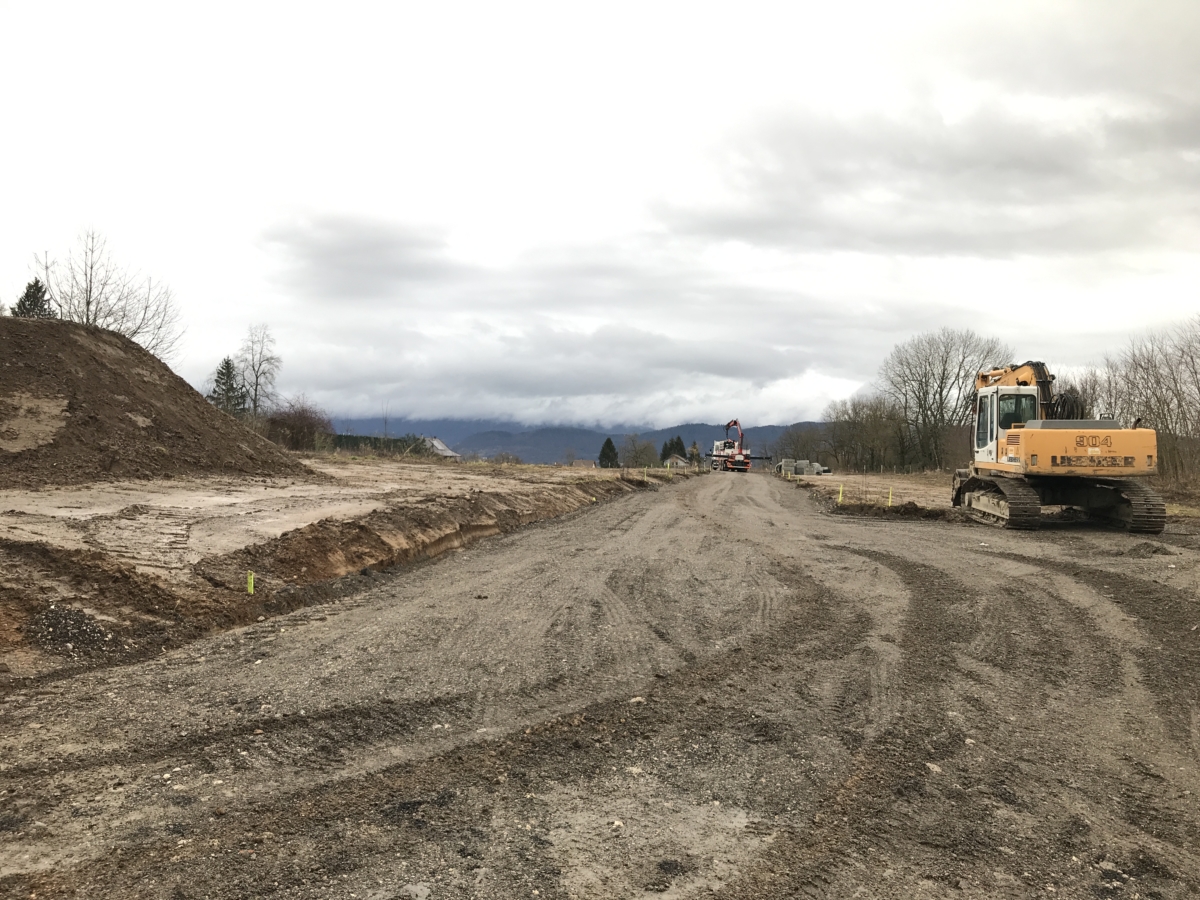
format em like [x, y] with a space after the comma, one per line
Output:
[917, 415]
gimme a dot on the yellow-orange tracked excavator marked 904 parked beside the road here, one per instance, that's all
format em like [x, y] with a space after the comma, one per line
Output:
[1034, 449]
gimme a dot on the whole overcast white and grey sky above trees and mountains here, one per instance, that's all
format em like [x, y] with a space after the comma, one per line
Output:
[620, 213]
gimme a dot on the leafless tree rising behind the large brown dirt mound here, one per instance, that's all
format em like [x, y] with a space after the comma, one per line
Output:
[93, 290]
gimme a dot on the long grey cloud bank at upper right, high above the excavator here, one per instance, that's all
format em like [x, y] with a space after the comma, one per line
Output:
[995, 183]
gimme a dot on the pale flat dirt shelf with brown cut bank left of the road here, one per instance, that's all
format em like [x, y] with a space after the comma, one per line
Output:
[87, 587]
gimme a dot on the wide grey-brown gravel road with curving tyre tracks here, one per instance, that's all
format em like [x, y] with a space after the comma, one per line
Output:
[713, 688]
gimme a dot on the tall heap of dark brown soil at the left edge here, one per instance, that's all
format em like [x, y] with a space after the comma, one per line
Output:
[82, 405]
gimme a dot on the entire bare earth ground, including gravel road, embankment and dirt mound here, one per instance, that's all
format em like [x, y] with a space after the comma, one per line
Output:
[471, 681]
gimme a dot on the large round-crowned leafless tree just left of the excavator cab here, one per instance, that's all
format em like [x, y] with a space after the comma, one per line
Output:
[929, 381]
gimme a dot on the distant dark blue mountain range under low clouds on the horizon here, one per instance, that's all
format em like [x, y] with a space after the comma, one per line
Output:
[551, 445]
